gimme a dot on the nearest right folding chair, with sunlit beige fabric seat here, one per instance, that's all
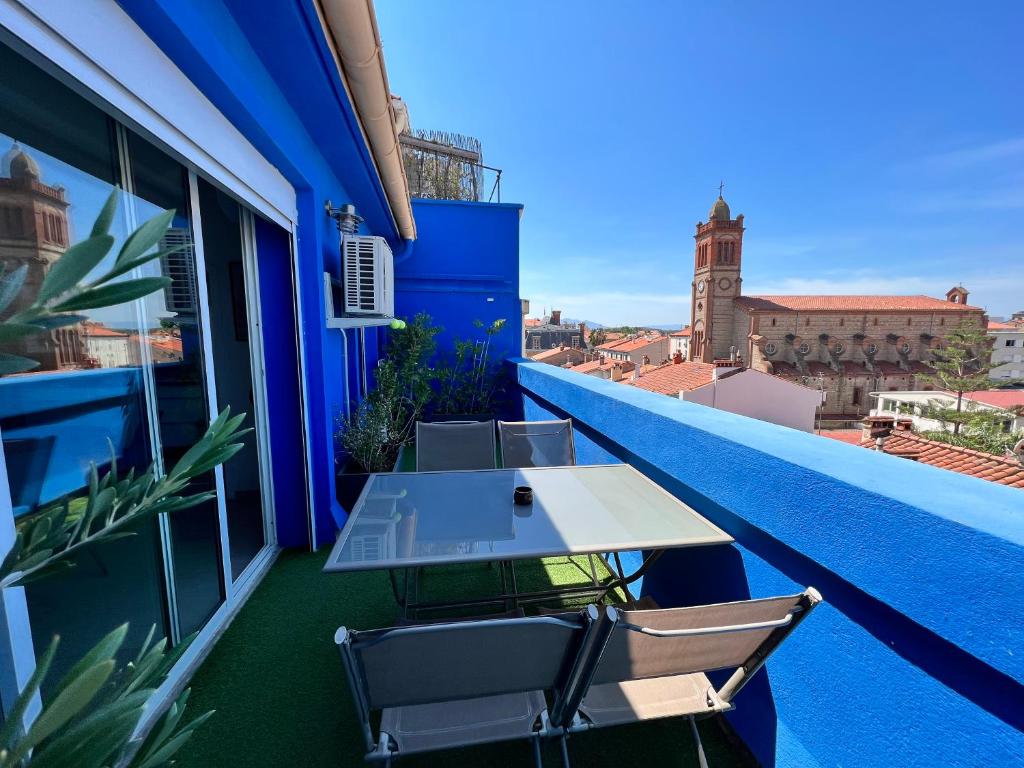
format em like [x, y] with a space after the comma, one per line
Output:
[648, 665]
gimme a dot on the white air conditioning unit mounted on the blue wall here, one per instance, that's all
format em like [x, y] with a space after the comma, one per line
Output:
[368, 276]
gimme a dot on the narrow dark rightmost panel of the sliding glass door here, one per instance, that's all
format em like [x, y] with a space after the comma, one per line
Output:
[230, 324]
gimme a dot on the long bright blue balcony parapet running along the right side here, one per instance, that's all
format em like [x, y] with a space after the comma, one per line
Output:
[917, 657]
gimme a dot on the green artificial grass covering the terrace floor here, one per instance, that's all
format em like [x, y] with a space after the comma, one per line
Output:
[277, 682]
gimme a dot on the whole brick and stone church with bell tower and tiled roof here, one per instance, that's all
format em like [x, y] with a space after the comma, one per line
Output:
[846, 346]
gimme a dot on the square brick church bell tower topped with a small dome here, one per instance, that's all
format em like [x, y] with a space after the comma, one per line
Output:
[716, 283]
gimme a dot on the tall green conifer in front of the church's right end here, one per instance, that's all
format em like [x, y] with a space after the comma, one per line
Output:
[962, 365]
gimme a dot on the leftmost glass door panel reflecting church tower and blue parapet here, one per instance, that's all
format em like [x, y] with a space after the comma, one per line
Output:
[86, 400]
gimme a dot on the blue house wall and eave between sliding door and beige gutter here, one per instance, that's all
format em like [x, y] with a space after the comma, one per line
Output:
[267, 68]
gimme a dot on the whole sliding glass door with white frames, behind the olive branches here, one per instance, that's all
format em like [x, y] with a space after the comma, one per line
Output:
[138, 383]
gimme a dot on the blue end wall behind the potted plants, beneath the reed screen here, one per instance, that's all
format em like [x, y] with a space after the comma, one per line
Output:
[465, 268]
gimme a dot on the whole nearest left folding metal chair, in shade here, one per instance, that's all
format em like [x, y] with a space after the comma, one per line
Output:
[440, 687]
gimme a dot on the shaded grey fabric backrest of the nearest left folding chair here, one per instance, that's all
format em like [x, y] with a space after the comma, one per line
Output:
[461, 660]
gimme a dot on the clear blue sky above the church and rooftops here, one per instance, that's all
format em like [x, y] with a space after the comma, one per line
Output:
[874, 148]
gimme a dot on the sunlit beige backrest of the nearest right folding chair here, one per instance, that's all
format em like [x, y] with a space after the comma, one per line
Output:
[641, 645]
